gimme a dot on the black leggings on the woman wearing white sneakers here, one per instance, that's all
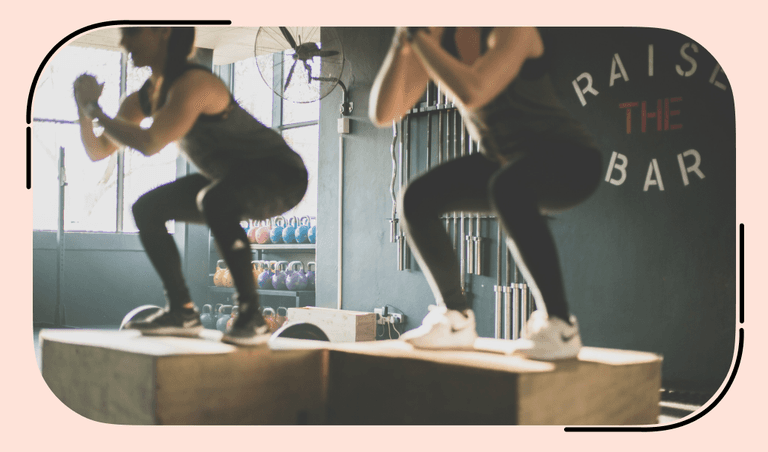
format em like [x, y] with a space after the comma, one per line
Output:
[551, 178]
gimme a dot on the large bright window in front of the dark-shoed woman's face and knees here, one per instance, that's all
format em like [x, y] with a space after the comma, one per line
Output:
[97, 199]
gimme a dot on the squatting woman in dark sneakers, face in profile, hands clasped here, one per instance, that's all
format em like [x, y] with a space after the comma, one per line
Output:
[246, 170]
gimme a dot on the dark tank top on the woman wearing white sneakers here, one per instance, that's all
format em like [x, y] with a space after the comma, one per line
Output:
[526, 112]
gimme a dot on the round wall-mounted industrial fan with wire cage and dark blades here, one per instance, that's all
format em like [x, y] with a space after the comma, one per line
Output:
[308, 66]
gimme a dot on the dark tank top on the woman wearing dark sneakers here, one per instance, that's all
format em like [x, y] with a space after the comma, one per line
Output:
[219, 143]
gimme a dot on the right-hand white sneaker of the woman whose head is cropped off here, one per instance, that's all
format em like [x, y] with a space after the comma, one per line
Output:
[550, 339]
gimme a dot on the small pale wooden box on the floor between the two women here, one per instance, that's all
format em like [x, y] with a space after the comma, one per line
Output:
[340, 325]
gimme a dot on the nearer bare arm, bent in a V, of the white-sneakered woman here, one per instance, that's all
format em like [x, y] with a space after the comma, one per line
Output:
[477, 84]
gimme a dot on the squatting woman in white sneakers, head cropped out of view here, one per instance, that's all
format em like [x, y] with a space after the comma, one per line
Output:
[534, 159]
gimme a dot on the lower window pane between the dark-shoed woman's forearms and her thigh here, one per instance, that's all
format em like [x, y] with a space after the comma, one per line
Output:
[142, 174]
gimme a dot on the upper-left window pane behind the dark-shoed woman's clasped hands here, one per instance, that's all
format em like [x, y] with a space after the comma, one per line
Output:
[53, 95]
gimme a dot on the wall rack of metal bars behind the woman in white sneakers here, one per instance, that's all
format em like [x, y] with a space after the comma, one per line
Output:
[513, 300]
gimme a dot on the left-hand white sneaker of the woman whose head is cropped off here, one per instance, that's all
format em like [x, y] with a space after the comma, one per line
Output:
[444, 328]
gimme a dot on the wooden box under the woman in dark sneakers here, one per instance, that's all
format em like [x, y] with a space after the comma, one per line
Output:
[121, 377]
